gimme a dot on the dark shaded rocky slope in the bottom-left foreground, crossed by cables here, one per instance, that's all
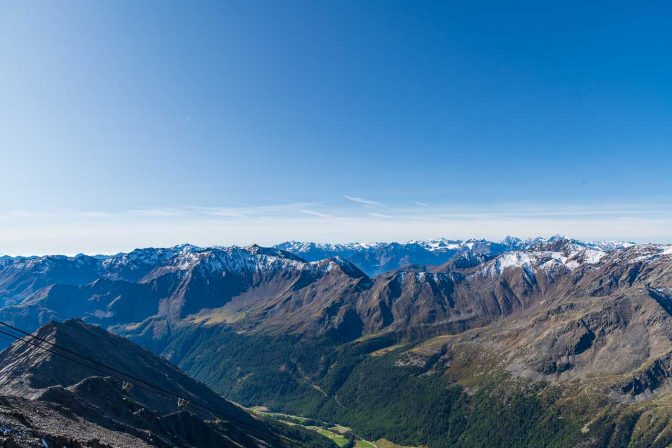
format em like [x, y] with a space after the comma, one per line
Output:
[86, 395]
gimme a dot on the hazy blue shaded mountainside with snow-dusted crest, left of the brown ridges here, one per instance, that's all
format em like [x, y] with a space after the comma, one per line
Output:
[186, 284]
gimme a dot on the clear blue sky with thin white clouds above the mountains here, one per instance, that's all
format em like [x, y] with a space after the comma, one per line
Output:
[129, 124]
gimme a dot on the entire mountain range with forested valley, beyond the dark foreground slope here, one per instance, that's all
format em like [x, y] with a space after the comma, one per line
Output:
[434, 343]
